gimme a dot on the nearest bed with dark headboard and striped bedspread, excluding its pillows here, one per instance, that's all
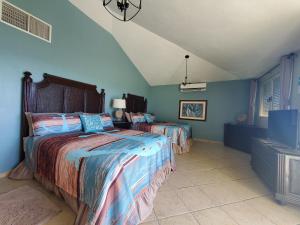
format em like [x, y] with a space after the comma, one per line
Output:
[108, 177]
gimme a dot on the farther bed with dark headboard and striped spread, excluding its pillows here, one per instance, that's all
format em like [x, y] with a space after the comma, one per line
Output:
[179, 134]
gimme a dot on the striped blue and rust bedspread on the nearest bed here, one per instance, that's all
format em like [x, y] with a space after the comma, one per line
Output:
[111, 172]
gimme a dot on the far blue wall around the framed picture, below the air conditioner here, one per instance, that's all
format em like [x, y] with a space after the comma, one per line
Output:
[226, 100]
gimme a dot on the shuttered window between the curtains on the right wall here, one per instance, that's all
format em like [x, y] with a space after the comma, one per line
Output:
[270, 94]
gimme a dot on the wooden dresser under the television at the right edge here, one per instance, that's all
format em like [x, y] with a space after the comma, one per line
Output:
[279, 167]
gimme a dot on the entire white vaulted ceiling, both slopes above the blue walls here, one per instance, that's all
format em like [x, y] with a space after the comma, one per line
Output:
[232, 39]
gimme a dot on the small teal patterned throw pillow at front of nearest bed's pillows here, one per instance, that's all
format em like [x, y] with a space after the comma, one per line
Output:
[91, 123]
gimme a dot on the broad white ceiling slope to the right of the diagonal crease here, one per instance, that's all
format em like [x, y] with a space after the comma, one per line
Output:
[244, 37]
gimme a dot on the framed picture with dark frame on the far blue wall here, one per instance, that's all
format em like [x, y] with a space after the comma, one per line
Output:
[193, 110]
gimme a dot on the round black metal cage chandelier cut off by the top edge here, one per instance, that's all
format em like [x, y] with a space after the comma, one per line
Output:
[123, 10]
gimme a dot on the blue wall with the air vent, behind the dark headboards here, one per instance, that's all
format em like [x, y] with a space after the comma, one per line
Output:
[80, 50]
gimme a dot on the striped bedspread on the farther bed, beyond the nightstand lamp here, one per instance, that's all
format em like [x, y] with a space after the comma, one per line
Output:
[178, 133]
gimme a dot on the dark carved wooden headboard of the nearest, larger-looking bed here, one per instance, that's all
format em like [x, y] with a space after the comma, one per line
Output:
[59, 95]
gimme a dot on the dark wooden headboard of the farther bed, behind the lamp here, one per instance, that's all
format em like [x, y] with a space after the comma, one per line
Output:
[135, 103]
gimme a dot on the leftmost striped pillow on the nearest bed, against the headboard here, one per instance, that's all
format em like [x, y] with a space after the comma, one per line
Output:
[51, 123]
